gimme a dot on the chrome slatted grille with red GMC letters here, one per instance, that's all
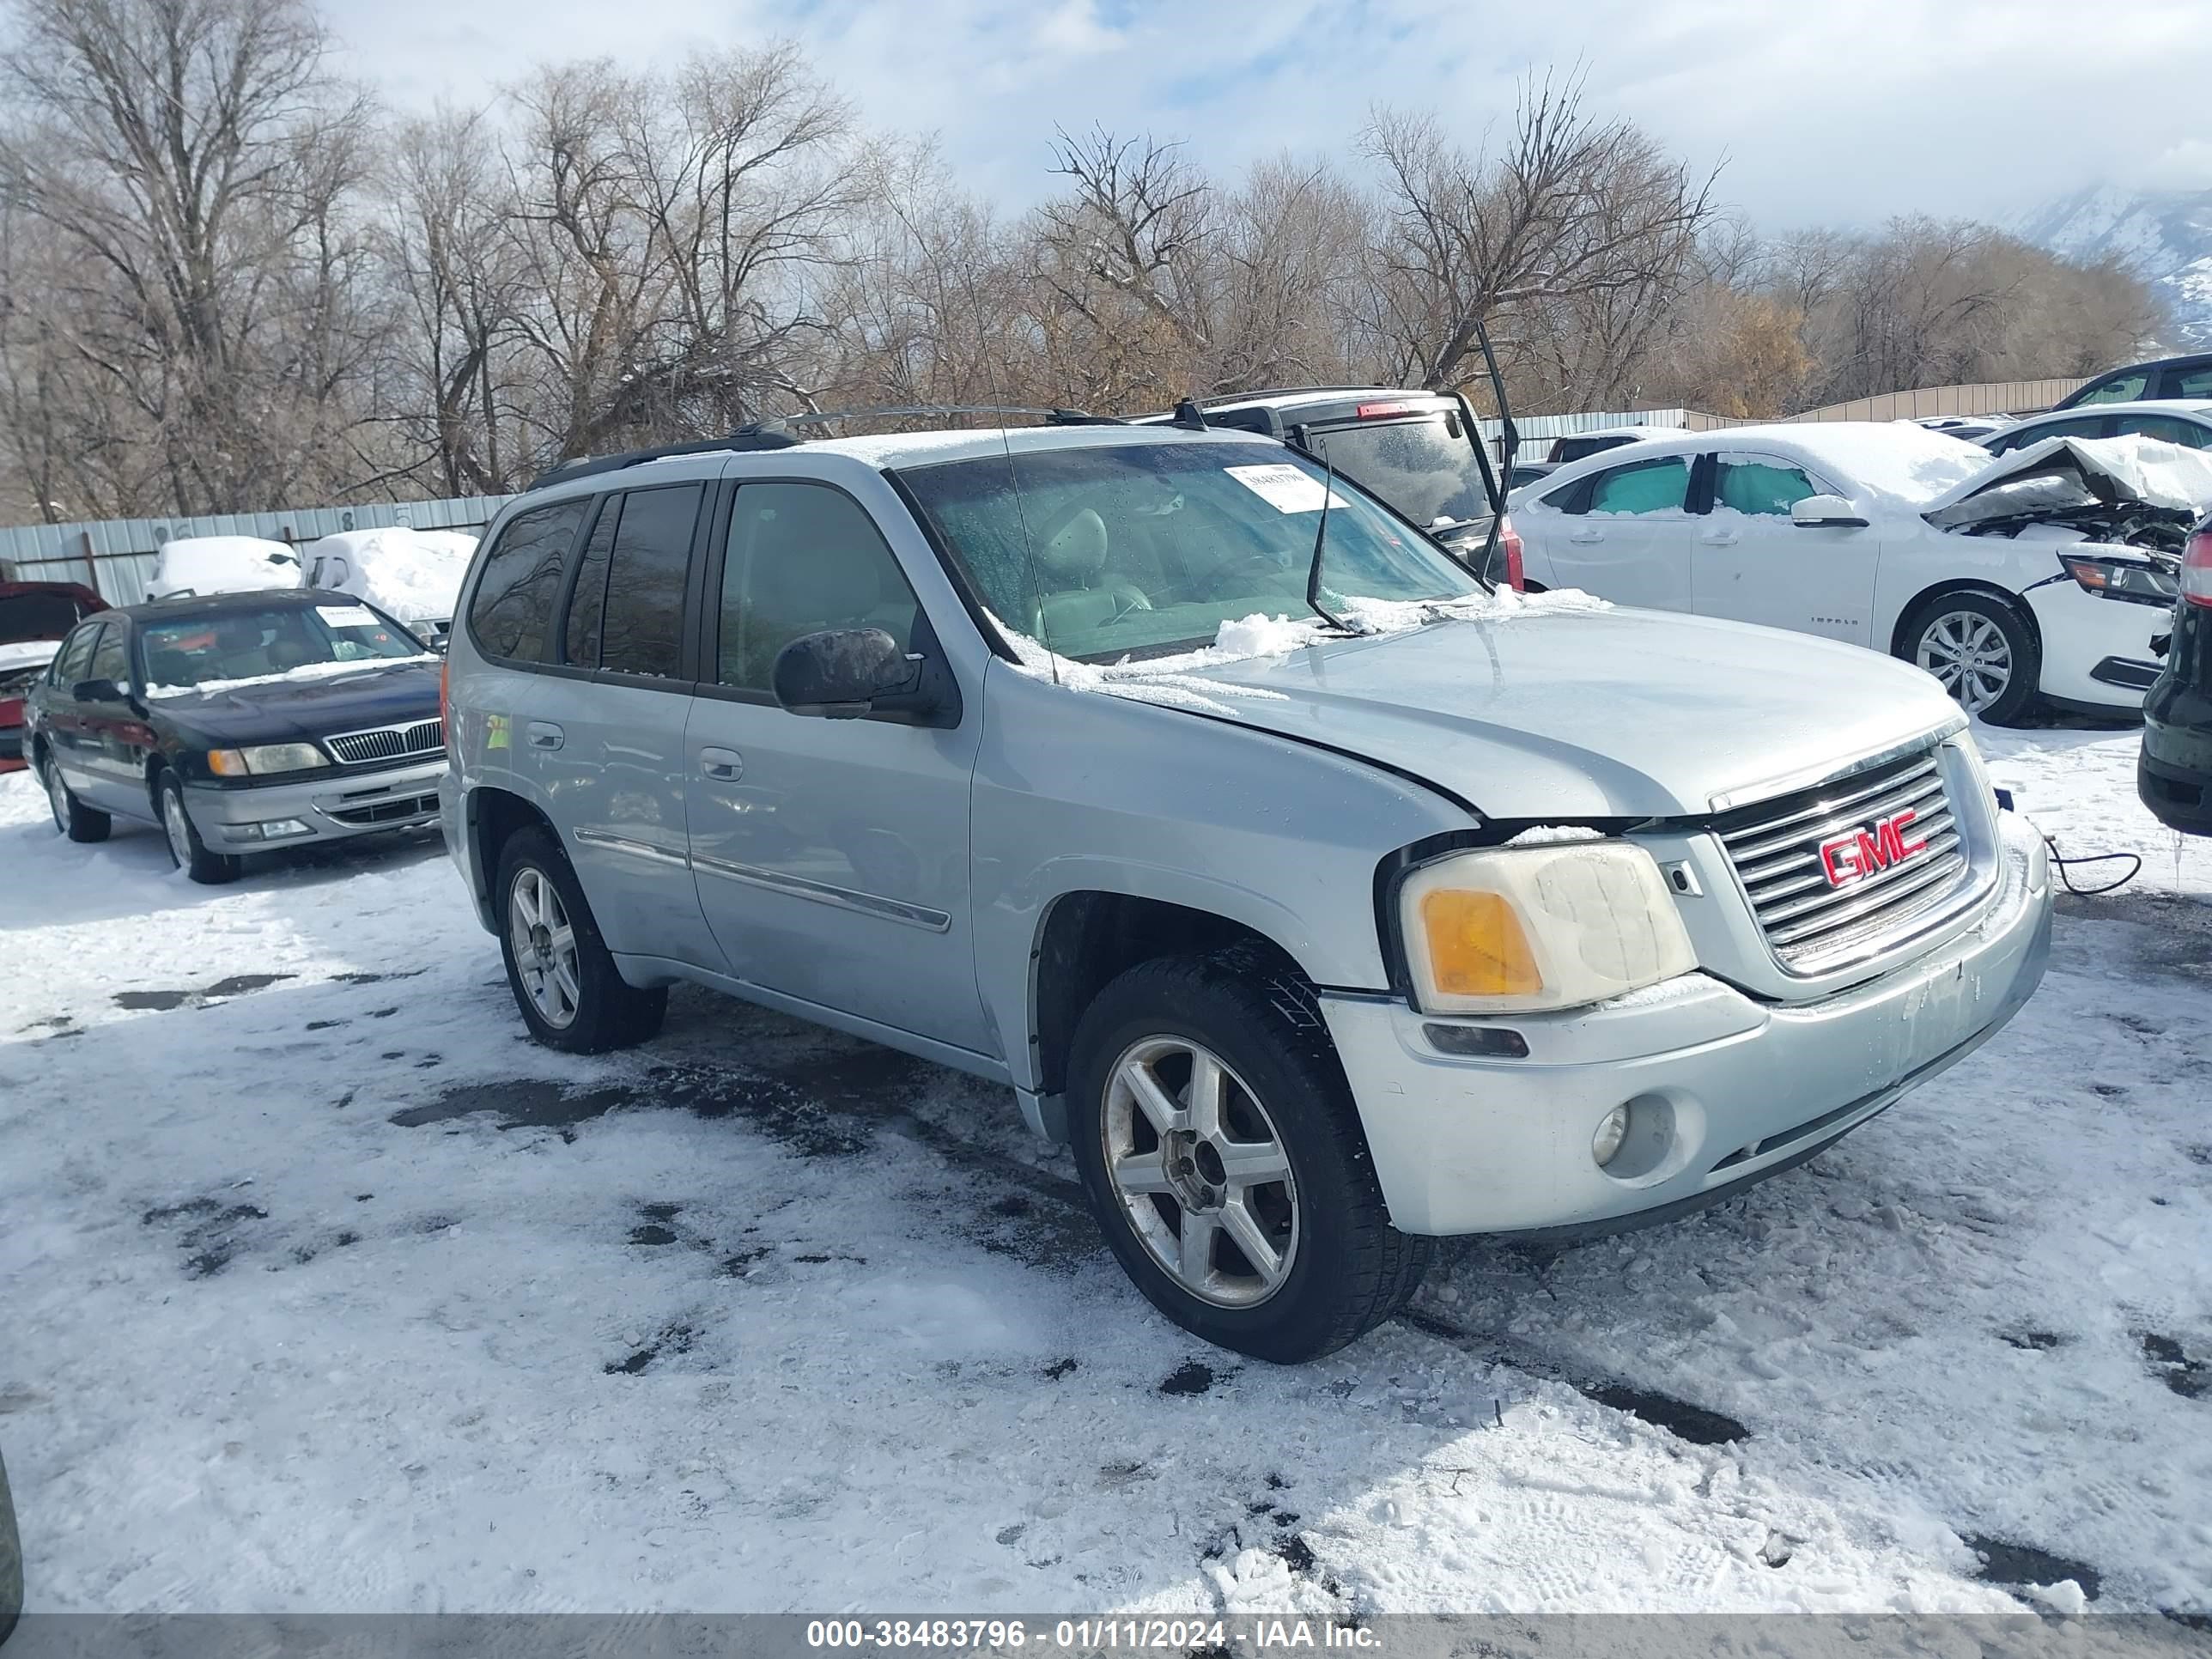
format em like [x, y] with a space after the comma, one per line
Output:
[1822, 895]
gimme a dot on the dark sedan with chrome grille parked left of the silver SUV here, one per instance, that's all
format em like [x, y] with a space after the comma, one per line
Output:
[240, 724]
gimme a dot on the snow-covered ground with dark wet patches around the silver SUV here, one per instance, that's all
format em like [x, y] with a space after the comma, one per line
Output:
[331, 1293]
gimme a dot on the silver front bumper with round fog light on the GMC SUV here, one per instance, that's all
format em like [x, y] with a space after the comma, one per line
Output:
[1722, 1089]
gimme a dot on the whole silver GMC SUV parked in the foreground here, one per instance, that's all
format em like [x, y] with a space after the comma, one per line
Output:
[1319, 897]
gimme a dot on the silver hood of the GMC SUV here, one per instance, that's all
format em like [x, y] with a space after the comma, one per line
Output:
[1594, 713]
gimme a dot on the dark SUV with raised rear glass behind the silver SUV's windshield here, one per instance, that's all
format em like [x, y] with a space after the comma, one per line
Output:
[1417, 450]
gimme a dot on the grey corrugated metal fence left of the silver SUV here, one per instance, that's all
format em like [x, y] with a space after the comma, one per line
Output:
[116, 556]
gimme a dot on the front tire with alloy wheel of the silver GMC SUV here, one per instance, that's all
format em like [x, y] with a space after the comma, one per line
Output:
[1224, 1160]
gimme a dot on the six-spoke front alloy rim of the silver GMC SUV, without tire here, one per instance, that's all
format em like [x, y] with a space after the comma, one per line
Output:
[1202, 1173]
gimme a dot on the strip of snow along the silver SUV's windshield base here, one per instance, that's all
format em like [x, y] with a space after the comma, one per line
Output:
[1180, 682]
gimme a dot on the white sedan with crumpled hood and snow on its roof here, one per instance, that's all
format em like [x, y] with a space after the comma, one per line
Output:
[2043, 572]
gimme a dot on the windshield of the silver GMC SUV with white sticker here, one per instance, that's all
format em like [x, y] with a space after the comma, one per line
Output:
[1154, 545]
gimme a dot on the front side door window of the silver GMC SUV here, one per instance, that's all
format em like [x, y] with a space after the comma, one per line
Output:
[804, 559]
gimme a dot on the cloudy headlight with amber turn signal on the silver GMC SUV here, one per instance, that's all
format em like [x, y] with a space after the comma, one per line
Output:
[1541, 928]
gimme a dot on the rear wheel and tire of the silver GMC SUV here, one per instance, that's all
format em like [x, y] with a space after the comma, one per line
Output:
[565, 979]
